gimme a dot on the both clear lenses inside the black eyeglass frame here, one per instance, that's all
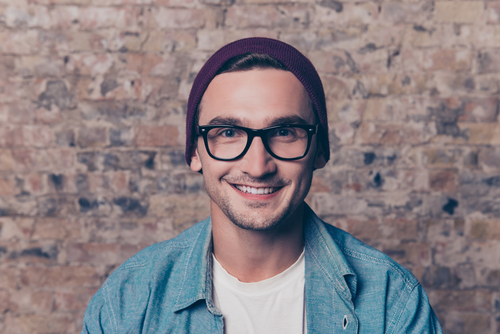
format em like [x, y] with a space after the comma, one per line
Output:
[286, 142]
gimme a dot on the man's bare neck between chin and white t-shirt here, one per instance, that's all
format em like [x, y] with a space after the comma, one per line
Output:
[253, 256]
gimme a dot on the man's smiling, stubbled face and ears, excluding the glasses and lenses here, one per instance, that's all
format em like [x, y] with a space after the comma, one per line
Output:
[256, 99]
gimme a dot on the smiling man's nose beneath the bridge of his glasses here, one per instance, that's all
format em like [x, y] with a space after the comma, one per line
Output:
[257, 162]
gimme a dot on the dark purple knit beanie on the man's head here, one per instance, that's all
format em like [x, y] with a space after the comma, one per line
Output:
[296, 63]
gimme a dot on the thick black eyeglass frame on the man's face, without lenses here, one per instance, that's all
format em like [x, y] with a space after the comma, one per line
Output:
[202, 130]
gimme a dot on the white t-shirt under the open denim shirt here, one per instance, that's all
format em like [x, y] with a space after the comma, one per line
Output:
[274, 305]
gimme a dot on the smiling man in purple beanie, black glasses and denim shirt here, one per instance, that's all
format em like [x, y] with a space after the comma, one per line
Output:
[263, 262]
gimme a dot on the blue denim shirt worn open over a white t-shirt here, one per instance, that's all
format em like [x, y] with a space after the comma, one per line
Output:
[350, 288]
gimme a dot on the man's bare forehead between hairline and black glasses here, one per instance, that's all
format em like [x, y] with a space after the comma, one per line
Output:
[258, 95]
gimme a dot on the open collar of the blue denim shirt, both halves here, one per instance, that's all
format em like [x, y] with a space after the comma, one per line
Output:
[324, 256]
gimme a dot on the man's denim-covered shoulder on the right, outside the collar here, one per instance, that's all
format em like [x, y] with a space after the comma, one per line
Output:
[384, 288]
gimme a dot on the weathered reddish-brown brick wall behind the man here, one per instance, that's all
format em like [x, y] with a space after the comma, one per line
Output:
[92, 102]
